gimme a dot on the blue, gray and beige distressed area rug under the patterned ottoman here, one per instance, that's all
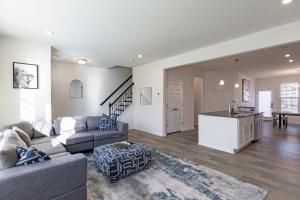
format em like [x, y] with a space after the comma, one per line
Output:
[171, 178]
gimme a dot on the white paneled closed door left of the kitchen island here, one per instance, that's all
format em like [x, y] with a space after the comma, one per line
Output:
[174, 109]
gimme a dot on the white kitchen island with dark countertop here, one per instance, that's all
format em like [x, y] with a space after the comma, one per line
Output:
[226, 132]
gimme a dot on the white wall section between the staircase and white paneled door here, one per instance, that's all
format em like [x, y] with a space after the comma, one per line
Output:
[149, 118]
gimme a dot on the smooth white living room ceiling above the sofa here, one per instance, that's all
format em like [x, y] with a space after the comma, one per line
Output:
[114, 32]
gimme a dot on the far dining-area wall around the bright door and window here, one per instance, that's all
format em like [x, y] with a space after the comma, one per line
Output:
[274, 85]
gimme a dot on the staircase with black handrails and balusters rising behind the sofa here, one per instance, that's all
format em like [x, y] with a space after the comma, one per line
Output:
[122, 102]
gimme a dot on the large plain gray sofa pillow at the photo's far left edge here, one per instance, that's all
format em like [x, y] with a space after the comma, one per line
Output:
[8, 154]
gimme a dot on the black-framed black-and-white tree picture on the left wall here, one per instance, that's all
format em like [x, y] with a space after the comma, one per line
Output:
[25, 76]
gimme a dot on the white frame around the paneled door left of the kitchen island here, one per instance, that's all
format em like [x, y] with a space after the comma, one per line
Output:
[166, 106]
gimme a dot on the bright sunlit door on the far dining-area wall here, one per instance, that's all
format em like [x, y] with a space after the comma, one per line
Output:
[265, 102]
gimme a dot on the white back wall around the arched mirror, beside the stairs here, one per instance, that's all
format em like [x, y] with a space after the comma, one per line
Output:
[98, 83]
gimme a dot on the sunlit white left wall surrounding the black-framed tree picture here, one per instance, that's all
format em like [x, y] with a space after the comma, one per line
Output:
[24, 104]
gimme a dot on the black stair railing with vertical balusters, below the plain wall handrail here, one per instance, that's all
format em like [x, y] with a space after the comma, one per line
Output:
[122, 102]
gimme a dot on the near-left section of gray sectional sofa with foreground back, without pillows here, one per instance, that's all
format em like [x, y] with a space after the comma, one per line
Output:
[61, 178]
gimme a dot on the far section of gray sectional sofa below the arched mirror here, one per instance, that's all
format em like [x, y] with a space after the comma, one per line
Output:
[82, 133]
